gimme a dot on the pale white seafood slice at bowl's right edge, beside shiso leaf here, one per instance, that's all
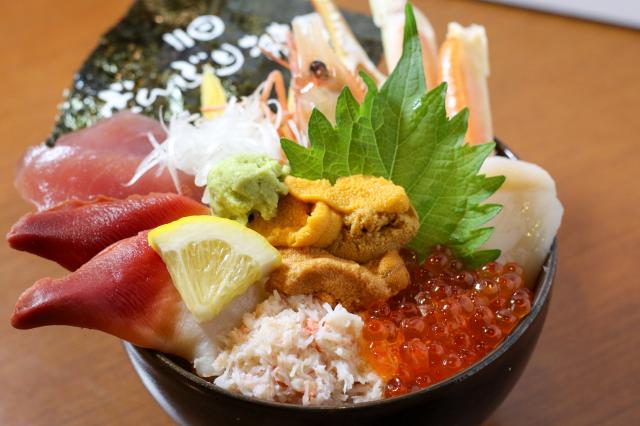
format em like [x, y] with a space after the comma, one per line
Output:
[530, 218]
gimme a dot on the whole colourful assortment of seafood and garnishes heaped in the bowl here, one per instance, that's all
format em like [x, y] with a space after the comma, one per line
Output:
[347, 238]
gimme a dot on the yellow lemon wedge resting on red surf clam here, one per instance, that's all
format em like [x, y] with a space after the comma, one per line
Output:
[212, 260]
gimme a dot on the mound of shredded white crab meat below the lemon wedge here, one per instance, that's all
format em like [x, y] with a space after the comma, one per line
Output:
[297, 350]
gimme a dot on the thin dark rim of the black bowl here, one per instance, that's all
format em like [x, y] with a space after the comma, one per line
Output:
[543, 289]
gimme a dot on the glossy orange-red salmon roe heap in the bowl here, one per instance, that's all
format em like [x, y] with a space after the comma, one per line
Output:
[447, 319]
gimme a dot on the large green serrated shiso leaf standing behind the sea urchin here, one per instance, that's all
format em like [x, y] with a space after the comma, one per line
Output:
[402, 133]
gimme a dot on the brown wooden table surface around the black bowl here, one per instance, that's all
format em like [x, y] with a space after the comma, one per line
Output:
[565, 95]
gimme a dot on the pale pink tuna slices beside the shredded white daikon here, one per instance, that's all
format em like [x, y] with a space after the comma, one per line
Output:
[95, 161]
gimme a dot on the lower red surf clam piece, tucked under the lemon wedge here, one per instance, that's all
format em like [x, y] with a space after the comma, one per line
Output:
[125, 291]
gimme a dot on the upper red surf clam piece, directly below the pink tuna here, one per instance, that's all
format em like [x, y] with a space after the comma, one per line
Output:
[75, 231]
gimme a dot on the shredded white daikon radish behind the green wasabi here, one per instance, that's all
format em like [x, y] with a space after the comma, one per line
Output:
[194, 145]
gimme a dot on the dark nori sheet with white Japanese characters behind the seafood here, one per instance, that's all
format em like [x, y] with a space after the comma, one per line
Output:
[151, 61]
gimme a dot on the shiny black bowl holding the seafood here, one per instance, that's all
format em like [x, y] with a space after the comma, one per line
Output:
[467, 398]
